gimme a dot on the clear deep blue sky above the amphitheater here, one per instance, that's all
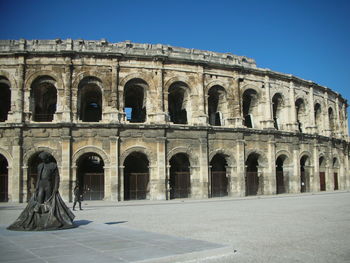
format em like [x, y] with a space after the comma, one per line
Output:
[309, 39]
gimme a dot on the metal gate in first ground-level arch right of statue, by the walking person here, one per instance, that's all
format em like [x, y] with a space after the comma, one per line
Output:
[93, 186]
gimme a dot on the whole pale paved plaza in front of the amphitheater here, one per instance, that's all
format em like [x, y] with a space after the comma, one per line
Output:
[285, 228]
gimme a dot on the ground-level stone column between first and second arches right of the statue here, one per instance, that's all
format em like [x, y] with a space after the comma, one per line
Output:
[114, 150]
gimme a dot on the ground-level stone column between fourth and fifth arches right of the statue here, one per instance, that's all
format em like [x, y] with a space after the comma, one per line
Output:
[238, 178]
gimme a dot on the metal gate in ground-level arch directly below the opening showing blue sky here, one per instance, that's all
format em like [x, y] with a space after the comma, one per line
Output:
[136, 186]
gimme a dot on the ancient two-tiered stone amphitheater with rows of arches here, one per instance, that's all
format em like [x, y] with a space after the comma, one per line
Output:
[129, 121]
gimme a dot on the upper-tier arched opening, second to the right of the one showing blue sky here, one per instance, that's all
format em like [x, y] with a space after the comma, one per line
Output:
[216, 105]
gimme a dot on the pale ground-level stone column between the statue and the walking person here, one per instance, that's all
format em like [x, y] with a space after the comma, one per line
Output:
[66, 186]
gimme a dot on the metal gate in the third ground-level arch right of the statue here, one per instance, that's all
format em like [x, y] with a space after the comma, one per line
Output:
[180, 185]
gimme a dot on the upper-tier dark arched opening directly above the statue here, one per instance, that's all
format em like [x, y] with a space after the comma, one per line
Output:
[43, 98]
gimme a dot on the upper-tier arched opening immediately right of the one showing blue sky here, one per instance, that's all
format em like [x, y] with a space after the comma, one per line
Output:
[178, 102]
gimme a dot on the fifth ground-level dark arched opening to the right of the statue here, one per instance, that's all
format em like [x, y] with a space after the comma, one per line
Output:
[252, 180]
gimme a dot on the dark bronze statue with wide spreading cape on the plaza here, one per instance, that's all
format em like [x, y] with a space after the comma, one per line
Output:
[46, 209]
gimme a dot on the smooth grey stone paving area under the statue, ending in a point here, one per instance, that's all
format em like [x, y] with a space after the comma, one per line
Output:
[96, 242]
